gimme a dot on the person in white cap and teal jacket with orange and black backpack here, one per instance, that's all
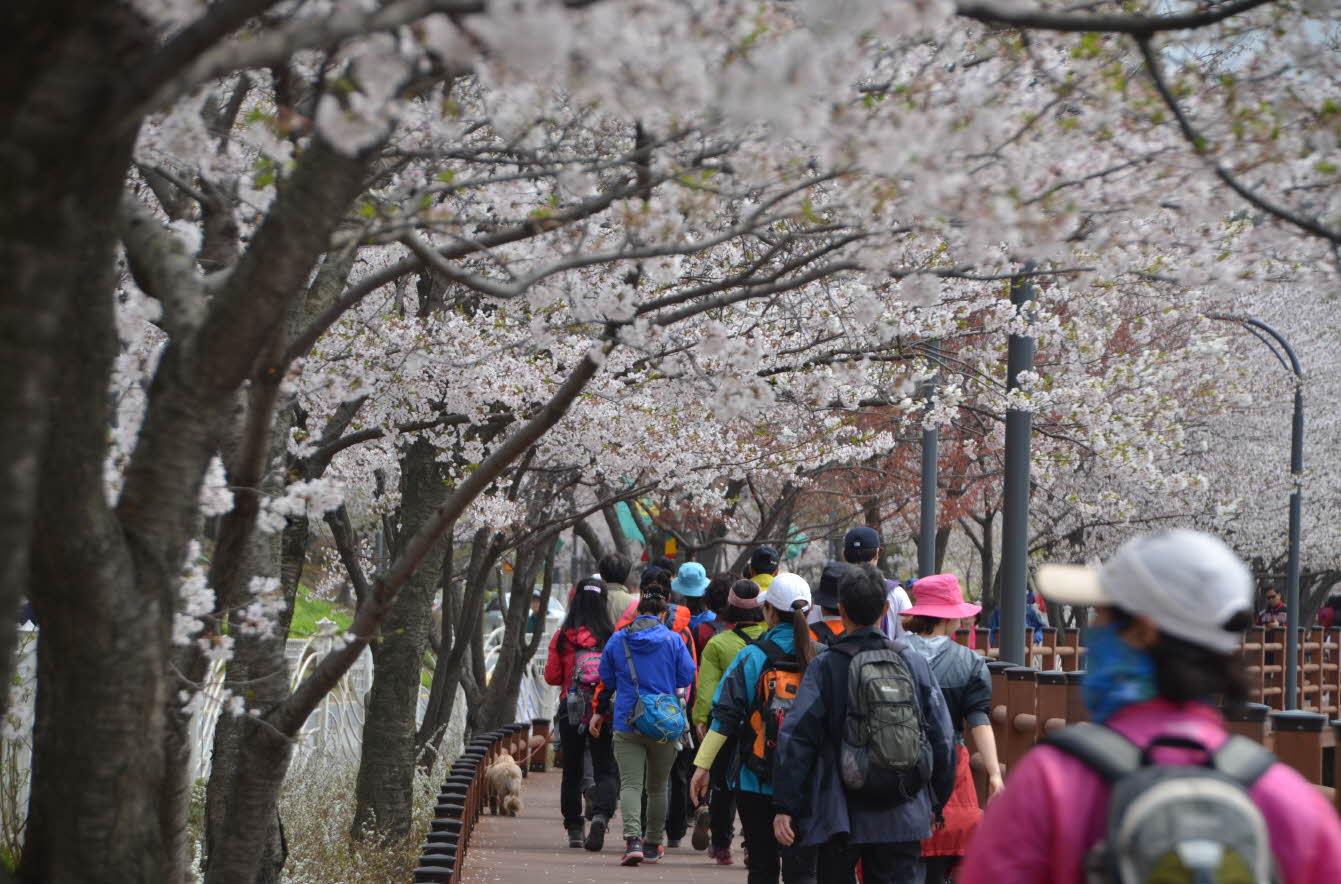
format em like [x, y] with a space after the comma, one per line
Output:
[756, 692]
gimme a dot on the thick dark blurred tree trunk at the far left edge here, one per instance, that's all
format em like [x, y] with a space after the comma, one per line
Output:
[97, 761]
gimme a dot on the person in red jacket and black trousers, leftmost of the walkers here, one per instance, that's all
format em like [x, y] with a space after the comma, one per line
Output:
[573, 666]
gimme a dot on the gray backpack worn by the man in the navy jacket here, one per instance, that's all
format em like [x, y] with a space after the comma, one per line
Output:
[886, 755]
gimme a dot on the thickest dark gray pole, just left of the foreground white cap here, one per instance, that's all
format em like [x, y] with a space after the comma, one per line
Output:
[1020, 357]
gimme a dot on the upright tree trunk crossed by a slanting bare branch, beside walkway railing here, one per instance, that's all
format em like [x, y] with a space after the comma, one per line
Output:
[384, 793]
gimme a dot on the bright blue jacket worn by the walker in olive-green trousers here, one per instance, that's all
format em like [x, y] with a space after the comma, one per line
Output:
[660, 657]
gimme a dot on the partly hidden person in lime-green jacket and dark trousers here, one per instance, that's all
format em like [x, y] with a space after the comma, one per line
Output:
[744, 618]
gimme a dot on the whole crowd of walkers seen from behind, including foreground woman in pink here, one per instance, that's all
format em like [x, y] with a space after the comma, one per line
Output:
[835, 724]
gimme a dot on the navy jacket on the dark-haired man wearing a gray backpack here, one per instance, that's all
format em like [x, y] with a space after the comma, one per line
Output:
[807, 781]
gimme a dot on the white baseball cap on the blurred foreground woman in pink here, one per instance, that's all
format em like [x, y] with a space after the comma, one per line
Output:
[1189, 583]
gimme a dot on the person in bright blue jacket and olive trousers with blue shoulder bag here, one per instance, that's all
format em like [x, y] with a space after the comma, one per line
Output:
[644, 666]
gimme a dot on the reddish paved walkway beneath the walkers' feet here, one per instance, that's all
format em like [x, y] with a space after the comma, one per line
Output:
[533, 848]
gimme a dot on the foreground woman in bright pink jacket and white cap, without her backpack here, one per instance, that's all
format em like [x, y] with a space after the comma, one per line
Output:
[1171, 607]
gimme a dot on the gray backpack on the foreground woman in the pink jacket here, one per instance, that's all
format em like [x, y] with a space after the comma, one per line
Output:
[1174, 824]
